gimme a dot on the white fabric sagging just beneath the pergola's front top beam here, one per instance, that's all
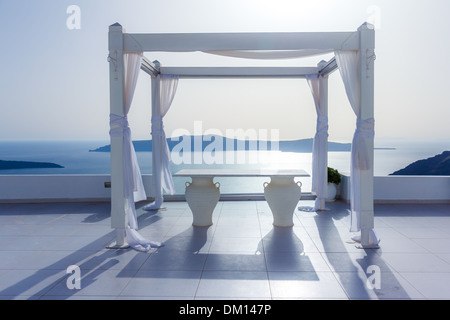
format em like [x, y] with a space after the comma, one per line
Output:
[269, 54]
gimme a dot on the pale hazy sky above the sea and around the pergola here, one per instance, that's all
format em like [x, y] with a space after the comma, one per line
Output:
[55, 80]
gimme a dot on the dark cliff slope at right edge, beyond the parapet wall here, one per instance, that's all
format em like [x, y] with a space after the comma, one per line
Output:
[438, 165]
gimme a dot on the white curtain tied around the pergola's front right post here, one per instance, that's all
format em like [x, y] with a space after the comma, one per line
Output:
[348, 63]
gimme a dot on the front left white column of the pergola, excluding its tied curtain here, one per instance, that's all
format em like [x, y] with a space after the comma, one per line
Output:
[116, 71]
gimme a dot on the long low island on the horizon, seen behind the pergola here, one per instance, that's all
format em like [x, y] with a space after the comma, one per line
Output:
[302, 145]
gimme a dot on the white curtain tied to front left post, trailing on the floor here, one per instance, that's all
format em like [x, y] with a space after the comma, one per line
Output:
[133, 187]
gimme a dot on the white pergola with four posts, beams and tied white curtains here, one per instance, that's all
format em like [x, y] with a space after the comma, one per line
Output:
[354, 57]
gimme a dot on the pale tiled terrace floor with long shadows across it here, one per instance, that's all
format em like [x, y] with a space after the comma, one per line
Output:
[241, 256]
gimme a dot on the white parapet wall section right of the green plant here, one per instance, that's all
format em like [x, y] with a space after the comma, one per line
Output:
[390, 189]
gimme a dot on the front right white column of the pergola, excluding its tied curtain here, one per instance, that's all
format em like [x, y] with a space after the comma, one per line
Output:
[367, 46]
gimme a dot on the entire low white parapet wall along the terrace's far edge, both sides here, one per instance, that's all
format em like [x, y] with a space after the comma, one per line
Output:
[40, 188]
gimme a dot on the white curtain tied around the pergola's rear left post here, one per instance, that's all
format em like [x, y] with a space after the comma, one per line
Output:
[165, 88]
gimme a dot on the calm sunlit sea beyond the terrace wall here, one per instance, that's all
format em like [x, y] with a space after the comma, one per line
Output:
[76, 158]
